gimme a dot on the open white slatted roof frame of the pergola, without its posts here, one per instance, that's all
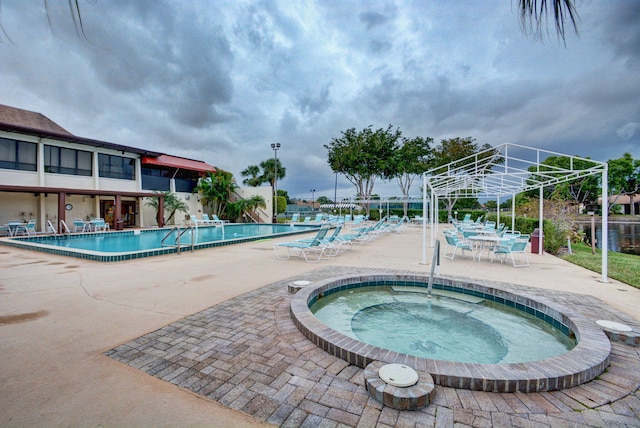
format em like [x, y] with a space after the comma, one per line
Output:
[505, 170]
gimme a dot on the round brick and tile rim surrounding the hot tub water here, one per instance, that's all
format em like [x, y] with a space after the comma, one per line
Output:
[586, 360]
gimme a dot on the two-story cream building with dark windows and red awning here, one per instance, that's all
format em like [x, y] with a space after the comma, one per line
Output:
[51, 175]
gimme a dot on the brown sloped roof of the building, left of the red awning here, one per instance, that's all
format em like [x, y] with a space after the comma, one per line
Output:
[20, 121]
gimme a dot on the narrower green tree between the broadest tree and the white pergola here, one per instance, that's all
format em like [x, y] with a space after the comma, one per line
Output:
[411, 159]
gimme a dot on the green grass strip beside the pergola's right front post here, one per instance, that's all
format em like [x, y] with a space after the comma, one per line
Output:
[622, 267]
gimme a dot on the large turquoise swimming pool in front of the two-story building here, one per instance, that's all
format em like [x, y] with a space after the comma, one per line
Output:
[133, 244]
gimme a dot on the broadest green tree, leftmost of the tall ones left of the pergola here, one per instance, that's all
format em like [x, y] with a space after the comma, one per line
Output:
[363, 156]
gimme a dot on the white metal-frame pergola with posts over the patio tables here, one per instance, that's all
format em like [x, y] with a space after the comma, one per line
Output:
[505, 171]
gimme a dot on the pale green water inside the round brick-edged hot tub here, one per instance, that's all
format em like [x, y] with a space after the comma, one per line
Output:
[440, 327]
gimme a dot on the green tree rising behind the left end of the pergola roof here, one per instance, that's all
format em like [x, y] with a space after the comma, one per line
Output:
[452, 150]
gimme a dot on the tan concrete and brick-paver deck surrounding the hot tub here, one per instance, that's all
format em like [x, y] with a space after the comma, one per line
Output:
[73, 332]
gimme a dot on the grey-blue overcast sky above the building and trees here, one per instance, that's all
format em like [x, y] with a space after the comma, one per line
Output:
[220, 81]
